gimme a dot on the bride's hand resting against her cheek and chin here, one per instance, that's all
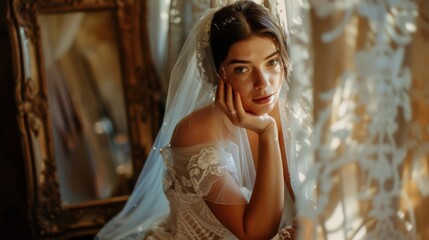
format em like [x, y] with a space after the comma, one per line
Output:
[229, 101]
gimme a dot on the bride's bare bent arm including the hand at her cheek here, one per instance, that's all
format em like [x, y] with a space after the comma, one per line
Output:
[258, 219]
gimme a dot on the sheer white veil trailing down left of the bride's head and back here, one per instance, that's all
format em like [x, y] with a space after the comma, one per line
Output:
[186, 93]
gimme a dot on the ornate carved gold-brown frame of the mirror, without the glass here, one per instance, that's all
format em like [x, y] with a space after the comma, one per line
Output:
[51, 218]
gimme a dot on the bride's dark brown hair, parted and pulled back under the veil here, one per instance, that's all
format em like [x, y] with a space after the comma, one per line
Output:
[239, 21]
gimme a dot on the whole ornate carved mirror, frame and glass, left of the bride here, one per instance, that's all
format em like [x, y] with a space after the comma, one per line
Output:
[89, 108]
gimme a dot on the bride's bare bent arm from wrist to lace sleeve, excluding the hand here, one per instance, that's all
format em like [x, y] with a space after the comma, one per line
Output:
[259, 219]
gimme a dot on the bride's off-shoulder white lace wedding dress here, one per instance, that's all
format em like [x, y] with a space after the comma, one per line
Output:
[191, 171]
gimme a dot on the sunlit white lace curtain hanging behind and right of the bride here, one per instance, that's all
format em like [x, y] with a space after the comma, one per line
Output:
[364, 65]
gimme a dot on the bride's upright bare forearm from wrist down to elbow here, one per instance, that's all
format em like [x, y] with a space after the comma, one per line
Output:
[264, 211]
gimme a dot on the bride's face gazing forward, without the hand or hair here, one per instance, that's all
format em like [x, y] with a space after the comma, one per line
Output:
[254, 69]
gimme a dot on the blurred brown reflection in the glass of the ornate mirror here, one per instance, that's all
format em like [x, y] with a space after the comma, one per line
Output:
[86, 105]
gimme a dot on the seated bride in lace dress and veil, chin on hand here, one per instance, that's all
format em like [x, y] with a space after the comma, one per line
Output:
[227, 172]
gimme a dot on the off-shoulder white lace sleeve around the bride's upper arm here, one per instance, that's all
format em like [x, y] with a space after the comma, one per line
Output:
[209, 166]
